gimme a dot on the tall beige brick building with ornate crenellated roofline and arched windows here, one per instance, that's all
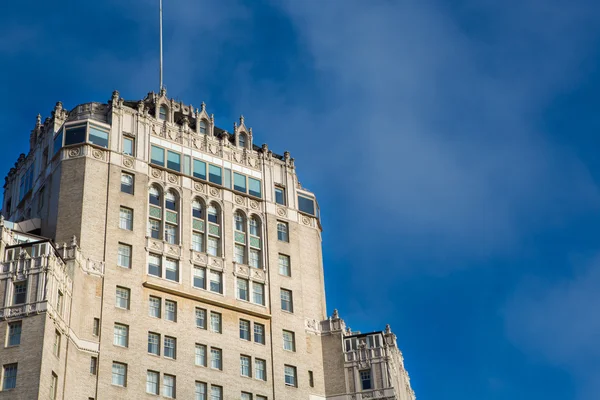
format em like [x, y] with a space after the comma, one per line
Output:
[146, 252]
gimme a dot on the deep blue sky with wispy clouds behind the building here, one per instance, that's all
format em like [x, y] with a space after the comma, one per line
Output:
[452, 146]
